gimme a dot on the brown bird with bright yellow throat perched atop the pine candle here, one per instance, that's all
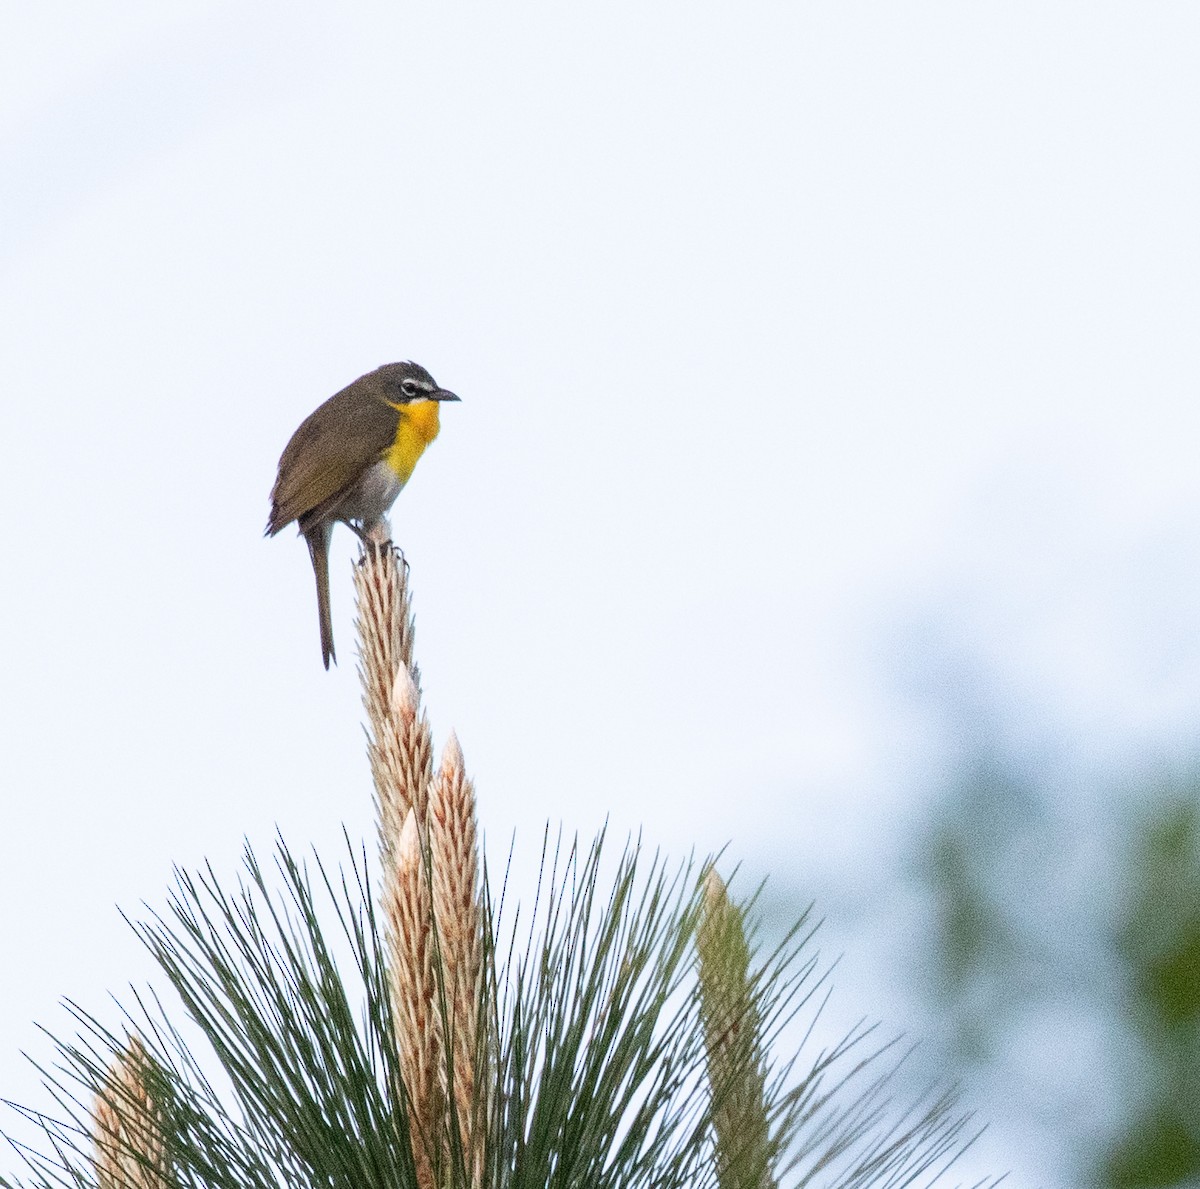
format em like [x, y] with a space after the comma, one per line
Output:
[350, 460]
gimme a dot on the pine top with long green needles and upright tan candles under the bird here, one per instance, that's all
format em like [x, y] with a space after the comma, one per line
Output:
[327, 1030]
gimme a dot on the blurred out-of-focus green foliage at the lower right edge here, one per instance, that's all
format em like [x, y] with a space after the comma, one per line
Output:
[1039, 910]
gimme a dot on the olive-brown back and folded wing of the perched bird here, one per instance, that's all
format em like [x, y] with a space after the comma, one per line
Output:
[331, 451]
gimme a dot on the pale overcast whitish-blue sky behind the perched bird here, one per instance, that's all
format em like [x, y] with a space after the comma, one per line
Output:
[808, 353]
